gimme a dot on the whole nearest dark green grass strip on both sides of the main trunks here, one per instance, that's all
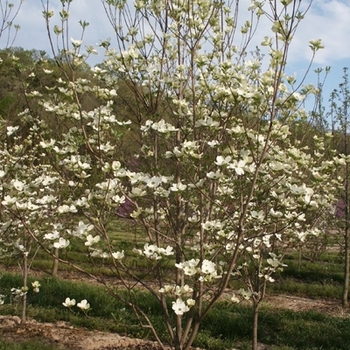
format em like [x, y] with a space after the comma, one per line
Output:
[226, 326]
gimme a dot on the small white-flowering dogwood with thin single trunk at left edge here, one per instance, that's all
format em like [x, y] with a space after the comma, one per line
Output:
[20, 186]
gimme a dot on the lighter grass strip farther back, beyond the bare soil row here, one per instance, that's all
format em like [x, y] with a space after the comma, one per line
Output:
[327, 268]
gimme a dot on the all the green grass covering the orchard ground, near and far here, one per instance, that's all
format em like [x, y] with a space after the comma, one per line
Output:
[226, 326]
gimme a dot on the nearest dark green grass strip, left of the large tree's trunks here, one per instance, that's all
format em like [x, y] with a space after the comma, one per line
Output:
[107, 312]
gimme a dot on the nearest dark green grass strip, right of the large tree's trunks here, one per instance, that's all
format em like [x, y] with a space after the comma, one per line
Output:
[297, 330]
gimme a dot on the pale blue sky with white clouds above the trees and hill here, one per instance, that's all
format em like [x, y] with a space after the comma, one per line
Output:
[328, 20]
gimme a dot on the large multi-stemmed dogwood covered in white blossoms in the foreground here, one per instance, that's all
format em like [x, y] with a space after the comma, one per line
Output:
[202, 159]
